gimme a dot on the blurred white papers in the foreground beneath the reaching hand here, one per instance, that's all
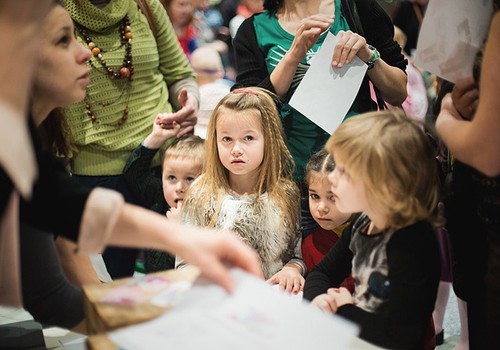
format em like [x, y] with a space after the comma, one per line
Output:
[255, 316]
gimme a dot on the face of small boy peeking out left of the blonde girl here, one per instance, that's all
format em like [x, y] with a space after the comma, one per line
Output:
[177, 176]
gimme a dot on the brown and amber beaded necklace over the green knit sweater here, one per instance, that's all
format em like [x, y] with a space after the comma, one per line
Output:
[126, 71]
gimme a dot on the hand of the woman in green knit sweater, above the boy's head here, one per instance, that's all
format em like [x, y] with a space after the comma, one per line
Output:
[186, 116]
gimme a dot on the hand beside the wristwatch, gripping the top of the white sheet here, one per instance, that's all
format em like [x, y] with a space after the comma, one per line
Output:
[349, 44]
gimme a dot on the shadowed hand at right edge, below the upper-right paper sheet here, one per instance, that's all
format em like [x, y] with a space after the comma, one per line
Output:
[465, 96]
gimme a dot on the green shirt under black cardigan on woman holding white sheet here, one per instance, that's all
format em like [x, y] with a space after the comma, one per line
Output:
[303, 136]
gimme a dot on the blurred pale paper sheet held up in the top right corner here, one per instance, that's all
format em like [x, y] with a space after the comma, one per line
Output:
[451, 34]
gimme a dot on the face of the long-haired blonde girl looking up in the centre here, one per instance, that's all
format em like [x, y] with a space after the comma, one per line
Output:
[240, 142]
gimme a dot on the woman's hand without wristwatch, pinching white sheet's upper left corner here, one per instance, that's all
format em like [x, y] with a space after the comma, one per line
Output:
[307, 34]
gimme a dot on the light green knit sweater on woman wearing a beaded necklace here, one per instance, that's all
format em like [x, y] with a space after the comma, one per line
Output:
[103, 145]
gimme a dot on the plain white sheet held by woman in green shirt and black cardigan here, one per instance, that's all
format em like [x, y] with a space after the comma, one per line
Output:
[325, 94]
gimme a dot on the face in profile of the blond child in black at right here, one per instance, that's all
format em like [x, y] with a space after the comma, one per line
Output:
[349, 192]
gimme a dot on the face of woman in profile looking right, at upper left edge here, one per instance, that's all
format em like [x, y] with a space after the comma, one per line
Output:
[62, 74]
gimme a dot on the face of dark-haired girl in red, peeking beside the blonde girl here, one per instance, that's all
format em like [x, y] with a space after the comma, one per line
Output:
[322, 203]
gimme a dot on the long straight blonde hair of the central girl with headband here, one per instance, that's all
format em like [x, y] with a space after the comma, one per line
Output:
[275, 177]
